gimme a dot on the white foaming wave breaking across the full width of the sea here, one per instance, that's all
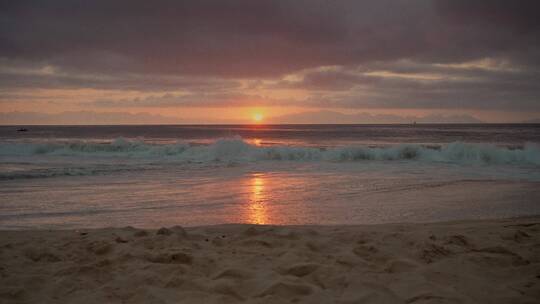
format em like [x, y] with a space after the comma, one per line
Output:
[236, 149]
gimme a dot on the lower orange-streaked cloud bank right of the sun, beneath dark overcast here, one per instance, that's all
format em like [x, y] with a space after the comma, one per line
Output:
[485, 84]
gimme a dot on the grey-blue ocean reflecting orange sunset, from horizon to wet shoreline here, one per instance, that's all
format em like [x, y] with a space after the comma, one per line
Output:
[66, 177]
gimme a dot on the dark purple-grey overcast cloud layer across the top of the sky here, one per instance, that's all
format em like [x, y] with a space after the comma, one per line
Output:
[256, 38]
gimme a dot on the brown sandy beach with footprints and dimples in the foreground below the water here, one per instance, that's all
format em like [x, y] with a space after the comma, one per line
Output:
[492, 261]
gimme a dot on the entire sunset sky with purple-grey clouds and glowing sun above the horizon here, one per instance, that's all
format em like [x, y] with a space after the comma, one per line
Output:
[305, 61]
